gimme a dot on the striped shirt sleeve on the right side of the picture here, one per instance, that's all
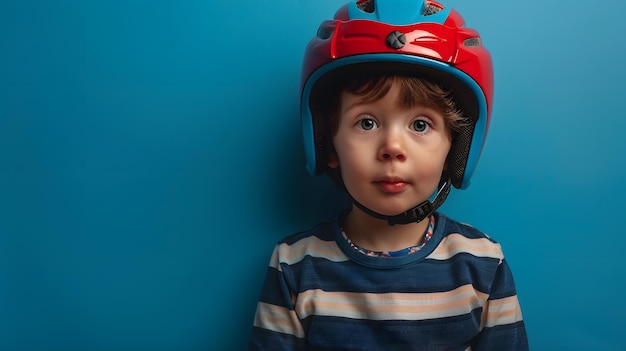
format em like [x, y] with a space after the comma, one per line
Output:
[503, 325]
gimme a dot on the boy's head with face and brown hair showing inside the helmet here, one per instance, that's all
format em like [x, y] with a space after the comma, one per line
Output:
[389, 140]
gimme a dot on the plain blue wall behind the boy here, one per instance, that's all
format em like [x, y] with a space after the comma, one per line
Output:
[150, 157]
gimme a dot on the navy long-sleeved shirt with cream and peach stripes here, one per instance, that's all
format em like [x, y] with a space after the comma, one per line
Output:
[456, 293]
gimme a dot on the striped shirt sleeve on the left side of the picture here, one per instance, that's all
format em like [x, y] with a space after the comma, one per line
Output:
[276, 325]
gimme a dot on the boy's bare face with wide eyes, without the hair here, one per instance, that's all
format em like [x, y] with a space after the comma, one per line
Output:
[391, 159]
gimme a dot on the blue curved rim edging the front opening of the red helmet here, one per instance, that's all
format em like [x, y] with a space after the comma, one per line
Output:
[480, 129]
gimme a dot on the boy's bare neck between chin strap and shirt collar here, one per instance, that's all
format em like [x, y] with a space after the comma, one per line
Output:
[376, 234]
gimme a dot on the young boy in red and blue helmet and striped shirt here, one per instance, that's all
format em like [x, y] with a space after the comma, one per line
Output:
[396, 100]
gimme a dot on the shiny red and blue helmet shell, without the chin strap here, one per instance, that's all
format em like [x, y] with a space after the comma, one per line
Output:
[415, 37]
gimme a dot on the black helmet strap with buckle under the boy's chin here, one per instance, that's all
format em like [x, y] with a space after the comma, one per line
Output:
[415, 214]
